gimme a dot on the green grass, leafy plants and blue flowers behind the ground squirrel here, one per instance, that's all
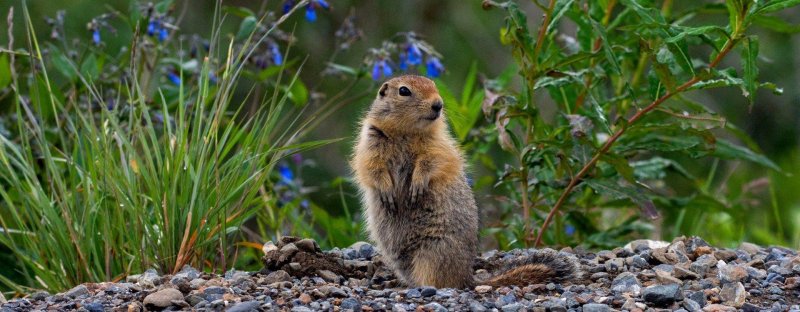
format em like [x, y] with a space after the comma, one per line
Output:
[137, 135]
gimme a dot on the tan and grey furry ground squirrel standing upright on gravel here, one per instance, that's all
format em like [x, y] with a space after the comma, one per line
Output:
[419, 209]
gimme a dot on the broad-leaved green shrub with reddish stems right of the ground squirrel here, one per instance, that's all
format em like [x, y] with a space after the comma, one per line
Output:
[601, 123]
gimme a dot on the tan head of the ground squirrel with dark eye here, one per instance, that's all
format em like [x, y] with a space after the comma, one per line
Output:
[408, 102]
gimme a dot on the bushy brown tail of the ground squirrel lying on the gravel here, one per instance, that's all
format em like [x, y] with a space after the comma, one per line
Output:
[541, 266]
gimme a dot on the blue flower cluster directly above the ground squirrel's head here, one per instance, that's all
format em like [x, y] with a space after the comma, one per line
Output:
[410, 55]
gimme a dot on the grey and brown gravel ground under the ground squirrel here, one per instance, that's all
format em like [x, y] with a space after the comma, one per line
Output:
[686, 275]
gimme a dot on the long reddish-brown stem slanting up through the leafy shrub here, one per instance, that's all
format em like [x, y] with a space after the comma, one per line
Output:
[574, 181]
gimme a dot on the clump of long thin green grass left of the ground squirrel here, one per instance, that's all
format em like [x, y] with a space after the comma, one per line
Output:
[95, 194]
